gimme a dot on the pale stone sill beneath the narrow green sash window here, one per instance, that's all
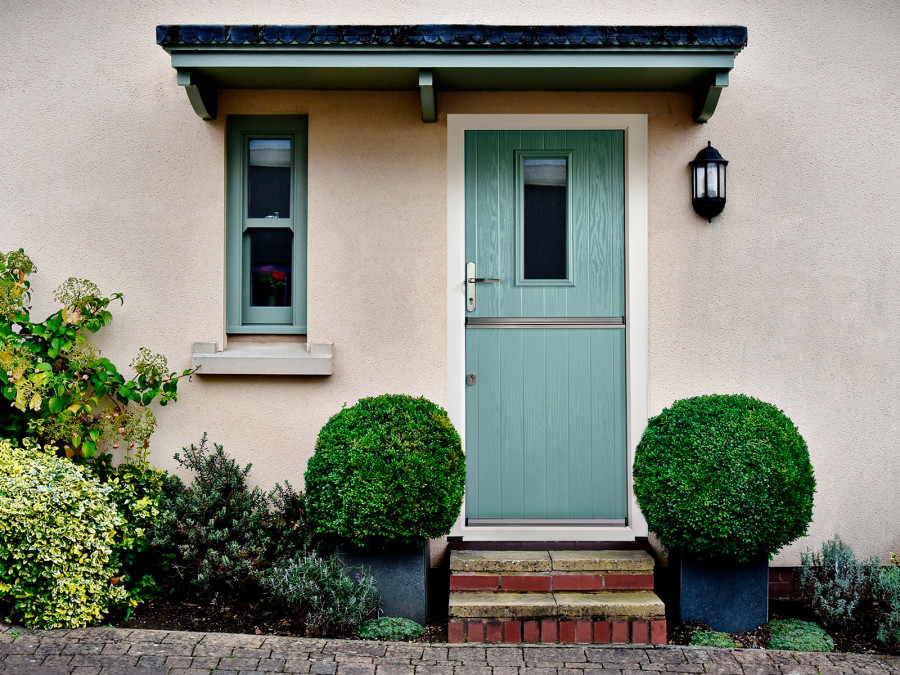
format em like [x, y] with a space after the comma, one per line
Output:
[263, 359]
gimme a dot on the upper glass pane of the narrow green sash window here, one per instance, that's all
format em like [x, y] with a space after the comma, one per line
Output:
[269, 179]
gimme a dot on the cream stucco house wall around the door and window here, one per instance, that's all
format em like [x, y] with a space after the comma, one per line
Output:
[792, 295]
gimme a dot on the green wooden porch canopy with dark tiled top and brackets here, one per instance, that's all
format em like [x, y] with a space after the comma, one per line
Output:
[432, 58]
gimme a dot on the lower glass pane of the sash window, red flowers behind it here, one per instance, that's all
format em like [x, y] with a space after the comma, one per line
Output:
[270, 266]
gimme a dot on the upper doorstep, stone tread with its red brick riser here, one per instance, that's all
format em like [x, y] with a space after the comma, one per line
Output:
[545, 571]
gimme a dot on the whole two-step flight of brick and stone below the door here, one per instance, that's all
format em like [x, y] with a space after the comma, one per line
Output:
[554, 596]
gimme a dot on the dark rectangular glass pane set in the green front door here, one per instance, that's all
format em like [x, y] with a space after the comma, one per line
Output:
[544, 218]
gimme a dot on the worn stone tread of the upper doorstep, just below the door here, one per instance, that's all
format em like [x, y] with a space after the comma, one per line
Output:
[551, 561]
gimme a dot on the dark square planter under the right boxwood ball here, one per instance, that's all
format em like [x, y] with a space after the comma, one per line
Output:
[729, 596]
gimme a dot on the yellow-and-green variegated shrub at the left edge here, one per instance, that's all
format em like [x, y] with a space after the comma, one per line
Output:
[57, 532]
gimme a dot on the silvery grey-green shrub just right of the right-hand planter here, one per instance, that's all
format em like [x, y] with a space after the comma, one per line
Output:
[835, 585]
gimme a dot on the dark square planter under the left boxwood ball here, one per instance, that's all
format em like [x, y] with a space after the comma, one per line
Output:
[399, 576]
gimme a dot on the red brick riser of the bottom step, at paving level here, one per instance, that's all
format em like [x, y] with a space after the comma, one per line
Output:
[634, 631]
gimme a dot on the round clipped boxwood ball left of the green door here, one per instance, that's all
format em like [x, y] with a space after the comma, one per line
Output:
[388, 471]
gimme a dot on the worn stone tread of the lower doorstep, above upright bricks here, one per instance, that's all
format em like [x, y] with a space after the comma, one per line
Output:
[609, 604]
